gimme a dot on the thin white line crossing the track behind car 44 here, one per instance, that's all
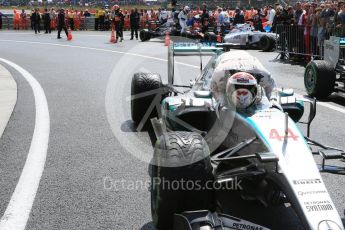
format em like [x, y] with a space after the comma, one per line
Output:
[325, 104]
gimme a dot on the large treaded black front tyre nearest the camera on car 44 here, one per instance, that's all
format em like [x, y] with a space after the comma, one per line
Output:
[181, 169]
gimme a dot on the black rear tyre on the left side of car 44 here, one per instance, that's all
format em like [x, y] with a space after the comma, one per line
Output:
[141, 83]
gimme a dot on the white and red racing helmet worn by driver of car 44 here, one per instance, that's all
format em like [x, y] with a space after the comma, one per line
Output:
[241, 90]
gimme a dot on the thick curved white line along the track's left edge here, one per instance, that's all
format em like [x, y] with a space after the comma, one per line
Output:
[18, 210]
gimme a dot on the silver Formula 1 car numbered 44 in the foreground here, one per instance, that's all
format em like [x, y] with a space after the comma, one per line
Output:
[201, 143]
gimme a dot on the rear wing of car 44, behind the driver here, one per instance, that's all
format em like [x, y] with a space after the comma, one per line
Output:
[192, 49]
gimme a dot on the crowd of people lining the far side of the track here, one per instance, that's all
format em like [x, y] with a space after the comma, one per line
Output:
[307, 23]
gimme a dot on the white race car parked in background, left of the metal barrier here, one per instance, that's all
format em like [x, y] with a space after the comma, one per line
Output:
[244, 36]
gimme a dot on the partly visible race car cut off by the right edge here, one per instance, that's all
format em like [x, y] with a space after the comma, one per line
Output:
[324, 77]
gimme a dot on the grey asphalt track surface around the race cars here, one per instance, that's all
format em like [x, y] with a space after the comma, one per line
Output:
[83, 150]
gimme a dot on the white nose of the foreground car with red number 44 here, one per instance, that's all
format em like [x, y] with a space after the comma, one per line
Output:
[297, 170]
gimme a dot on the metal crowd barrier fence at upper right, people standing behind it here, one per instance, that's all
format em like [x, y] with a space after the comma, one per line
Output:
[303, 41]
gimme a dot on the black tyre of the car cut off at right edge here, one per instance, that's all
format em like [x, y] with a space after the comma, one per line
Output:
[319, 79]
